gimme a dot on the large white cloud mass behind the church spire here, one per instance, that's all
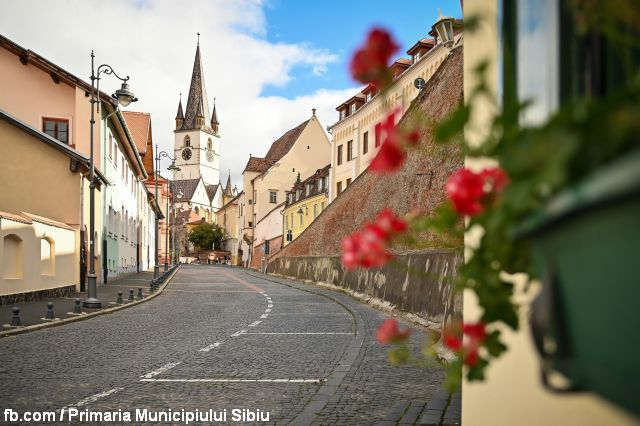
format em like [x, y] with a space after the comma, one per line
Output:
[153, 41]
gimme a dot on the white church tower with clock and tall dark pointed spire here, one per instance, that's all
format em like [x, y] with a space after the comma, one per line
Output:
[197, 141]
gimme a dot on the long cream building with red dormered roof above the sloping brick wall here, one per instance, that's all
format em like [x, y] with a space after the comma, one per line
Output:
[355, 139]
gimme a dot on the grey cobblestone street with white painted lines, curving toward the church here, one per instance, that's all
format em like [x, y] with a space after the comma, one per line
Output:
[221, 338]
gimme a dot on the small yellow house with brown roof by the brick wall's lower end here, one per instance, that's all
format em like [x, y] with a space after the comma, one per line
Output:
[306, 200]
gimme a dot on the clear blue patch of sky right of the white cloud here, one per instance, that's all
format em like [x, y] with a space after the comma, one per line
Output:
[340, 27]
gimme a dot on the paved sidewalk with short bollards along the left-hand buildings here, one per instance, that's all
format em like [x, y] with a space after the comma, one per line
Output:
[33, 312]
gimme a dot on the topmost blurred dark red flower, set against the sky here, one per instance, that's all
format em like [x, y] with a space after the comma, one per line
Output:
[370, 63]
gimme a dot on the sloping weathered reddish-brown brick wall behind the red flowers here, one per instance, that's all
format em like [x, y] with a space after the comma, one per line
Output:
[418, 185]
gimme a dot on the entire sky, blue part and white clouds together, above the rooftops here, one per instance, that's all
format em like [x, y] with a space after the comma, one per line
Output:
[267, 62]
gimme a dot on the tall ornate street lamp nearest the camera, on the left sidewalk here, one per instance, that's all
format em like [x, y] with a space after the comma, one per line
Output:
[124, 97]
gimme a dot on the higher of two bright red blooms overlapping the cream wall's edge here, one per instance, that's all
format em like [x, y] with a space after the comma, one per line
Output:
[469, 191]
